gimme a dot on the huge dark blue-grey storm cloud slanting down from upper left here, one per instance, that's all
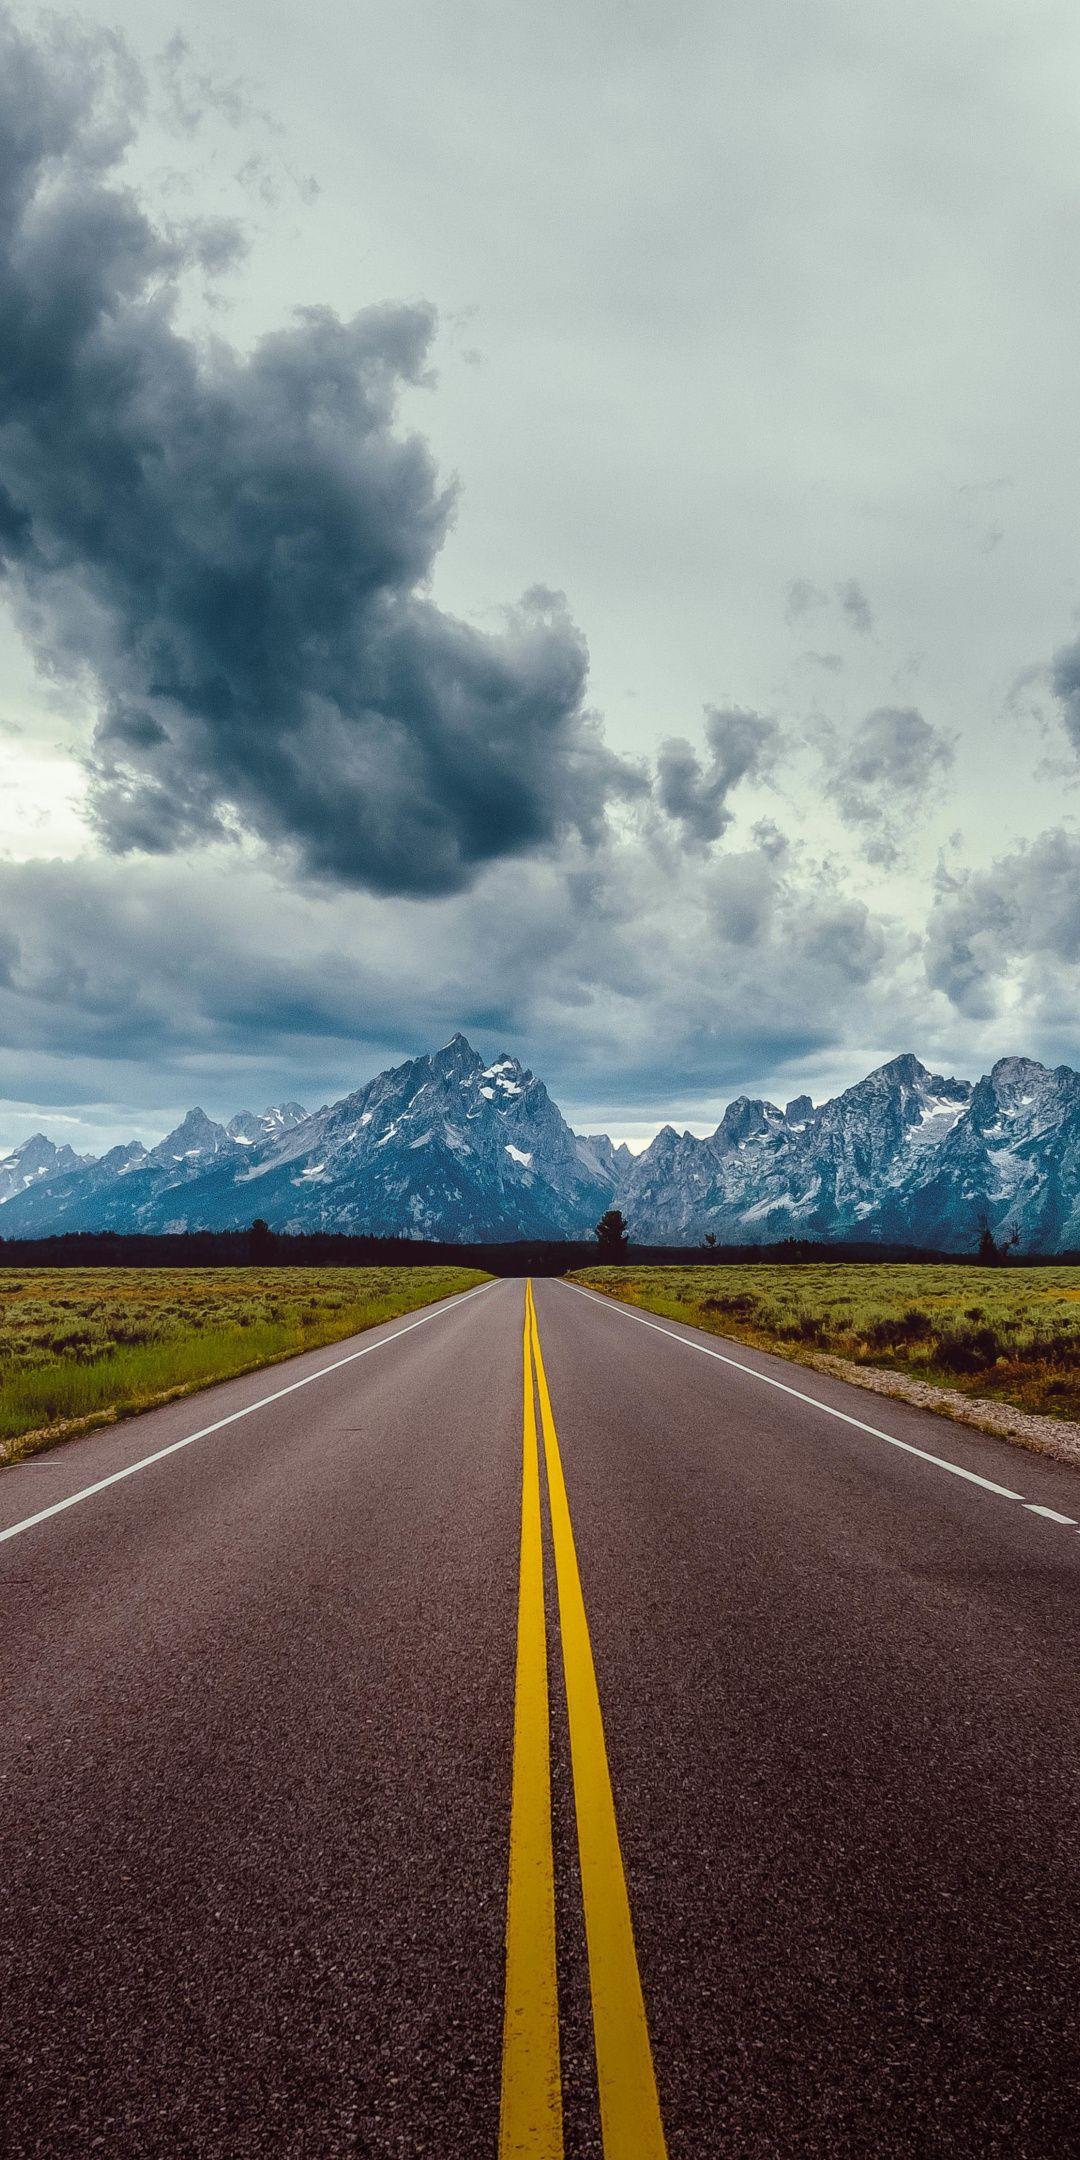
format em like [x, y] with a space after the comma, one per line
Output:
[234, 550]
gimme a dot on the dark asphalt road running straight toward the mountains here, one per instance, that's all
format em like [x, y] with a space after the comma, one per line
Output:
[496, 1738]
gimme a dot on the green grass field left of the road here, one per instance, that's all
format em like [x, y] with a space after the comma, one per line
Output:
[81, 1347]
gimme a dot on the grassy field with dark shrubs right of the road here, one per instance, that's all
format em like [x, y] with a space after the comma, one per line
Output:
[1010, 1334]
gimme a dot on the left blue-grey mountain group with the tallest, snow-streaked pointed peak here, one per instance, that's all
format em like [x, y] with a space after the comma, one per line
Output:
[437, 1148]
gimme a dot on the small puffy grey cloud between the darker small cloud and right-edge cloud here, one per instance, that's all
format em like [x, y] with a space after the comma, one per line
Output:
[885, 774]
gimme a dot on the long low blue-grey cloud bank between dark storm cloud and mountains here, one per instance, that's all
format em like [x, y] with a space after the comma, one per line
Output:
[619, 973]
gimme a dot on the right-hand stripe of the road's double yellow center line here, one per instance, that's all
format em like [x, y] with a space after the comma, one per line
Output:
[630, 2103]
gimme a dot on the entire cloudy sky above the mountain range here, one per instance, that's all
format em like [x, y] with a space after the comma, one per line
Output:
[554, 524]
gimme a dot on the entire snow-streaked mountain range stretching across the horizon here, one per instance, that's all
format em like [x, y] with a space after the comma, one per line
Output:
[453, 1148]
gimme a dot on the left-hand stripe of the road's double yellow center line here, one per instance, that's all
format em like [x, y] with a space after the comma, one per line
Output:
[530, 2118]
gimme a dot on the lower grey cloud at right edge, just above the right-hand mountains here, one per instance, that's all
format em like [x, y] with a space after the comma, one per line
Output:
[1016, 923]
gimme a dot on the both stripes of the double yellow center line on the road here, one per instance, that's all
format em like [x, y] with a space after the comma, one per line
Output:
[532, 2081]
